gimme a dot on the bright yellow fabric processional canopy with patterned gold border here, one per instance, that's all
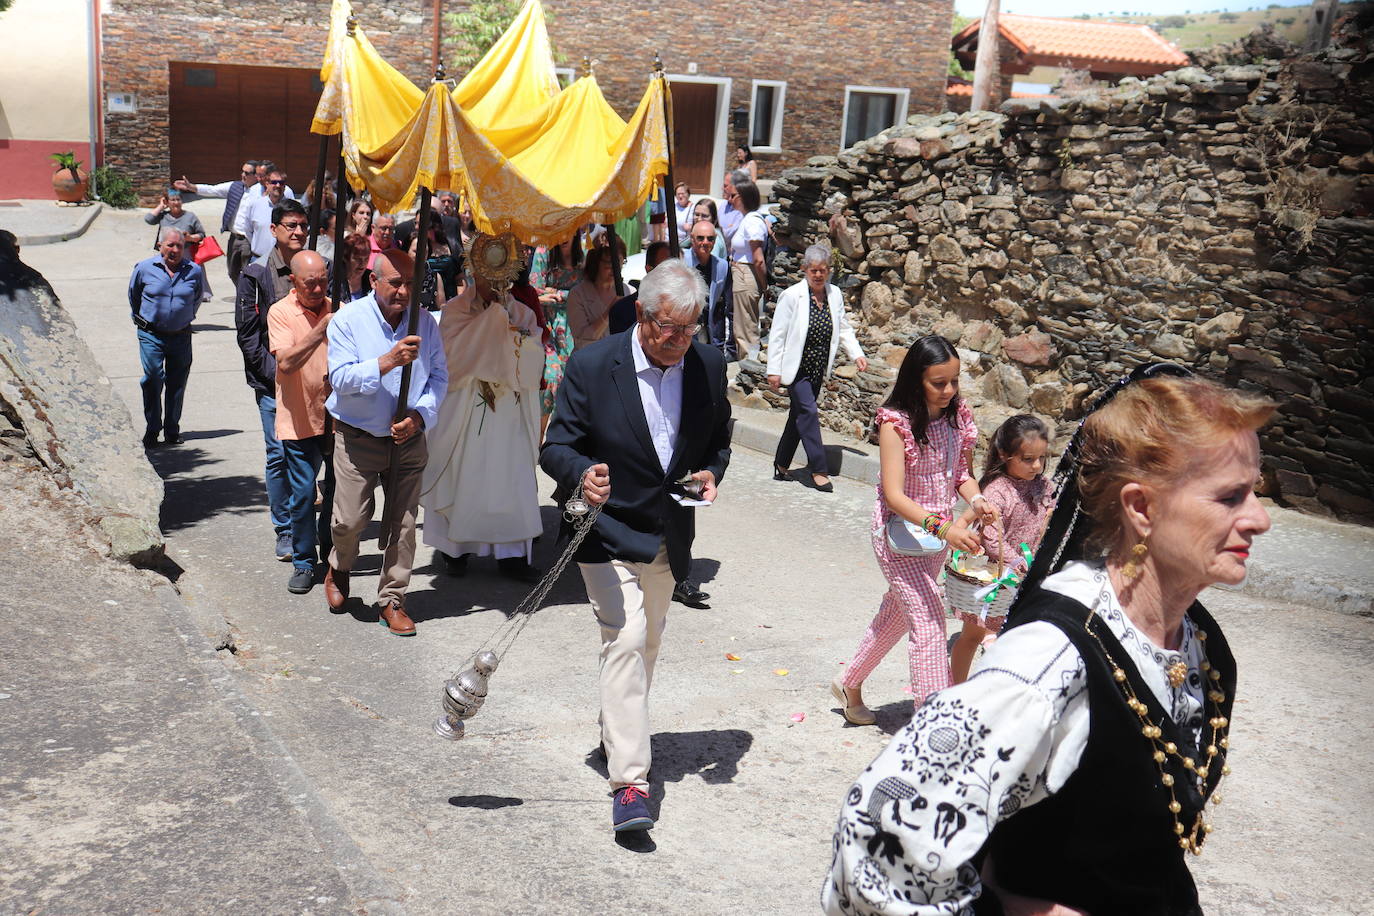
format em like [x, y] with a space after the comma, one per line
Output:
[539, 172]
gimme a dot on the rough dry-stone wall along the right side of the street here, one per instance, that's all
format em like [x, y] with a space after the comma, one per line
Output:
[1222, 219]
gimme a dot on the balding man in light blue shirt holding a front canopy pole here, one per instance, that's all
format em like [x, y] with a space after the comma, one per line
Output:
[369, 350]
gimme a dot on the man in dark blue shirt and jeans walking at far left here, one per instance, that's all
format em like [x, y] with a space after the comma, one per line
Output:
[166, 293]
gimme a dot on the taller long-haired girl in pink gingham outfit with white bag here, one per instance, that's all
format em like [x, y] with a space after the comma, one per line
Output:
[925, 437]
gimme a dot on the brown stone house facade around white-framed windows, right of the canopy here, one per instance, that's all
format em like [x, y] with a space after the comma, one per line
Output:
[817, 49]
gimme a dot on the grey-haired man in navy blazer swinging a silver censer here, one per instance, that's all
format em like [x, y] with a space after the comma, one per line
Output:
[637, 414]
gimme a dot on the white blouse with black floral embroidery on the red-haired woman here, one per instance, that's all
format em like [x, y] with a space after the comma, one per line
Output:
[979, 752]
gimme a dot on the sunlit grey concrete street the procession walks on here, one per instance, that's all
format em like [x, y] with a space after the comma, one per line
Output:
[515, 819]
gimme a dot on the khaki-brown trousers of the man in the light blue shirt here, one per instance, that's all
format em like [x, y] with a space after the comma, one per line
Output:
[361, 463]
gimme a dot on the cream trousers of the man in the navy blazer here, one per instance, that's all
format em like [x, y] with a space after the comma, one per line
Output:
[631, 605]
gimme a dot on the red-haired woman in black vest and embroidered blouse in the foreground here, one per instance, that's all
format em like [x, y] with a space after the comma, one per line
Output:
[1071, 772]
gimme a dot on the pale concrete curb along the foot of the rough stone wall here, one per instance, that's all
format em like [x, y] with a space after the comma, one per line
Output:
[1273, 584]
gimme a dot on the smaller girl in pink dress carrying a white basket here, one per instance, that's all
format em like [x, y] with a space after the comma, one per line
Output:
[1016, 485]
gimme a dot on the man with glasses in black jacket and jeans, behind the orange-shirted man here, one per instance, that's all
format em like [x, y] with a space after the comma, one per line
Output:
[264, 282]
